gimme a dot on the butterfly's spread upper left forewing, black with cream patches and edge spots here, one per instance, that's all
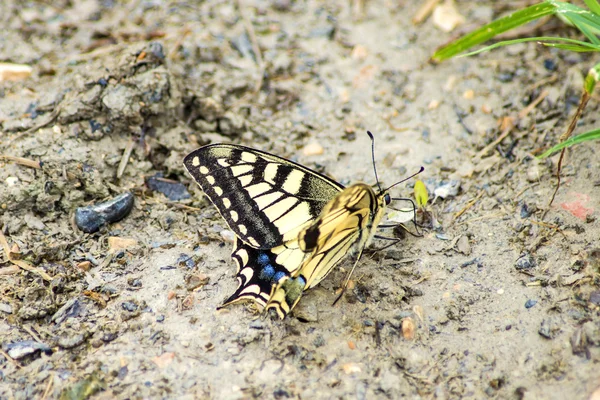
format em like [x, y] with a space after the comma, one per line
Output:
[265, 200]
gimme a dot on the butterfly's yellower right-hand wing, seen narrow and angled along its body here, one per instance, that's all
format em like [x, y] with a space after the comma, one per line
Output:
[350, 219]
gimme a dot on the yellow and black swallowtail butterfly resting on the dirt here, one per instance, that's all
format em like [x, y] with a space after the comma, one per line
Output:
[292, 225]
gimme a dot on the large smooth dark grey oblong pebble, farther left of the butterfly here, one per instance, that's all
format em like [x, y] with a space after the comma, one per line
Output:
[91, 218]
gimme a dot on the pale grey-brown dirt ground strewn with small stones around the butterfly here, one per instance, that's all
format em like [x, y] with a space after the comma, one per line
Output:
[503, 292]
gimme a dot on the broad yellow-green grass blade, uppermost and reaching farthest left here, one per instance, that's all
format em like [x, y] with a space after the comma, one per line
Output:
[494, 28]
